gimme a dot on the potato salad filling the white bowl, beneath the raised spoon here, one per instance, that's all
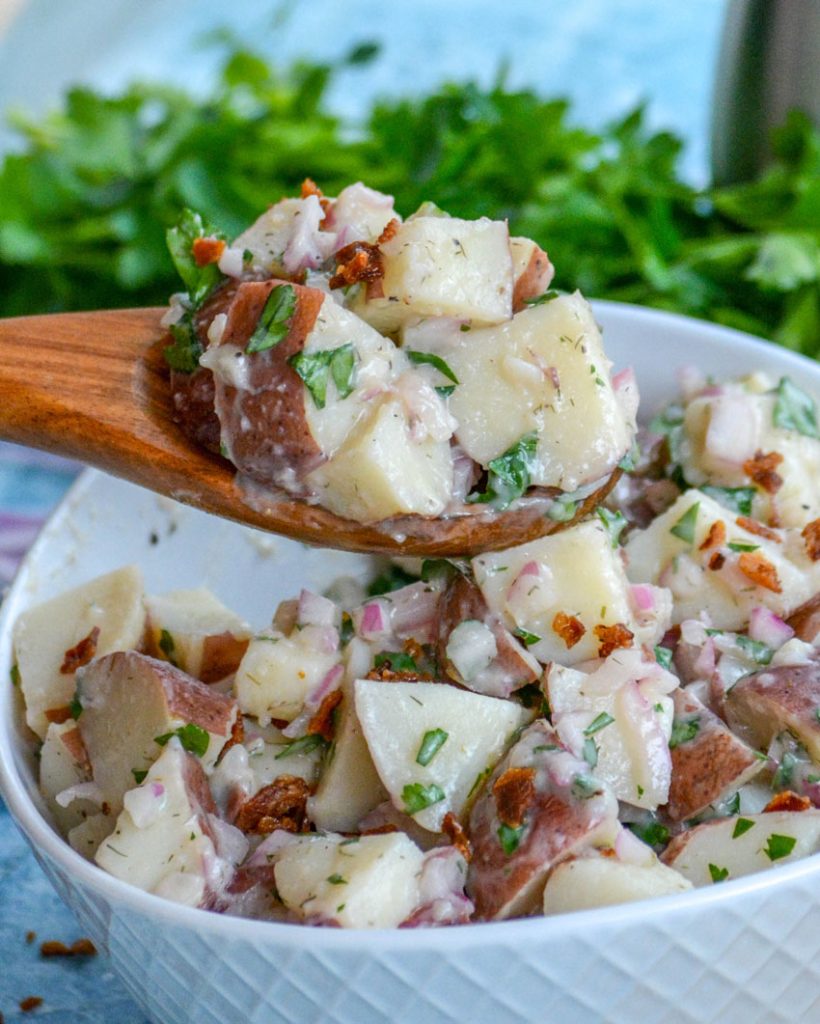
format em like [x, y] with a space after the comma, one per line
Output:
[627, 709]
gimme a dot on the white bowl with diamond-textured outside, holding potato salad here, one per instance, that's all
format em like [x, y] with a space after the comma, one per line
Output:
[746, 951]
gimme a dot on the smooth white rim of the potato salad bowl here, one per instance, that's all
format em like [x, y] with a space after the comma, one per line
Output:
[544, 929]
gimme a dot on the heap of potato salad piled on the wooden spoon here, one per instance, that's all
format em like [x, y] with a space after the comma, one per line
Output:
[385, 368]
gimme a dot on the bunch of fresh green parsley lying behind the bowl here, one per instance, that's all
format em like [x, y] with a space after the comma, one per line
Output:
[85, 206]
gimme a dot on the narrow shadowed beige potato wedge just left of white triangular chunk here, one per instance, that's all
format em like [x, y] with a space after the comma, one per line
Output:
[350, 787]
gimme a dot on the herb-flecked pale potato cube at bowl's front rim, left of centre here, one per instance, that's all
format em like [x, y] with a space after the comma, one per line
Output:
[364, 882]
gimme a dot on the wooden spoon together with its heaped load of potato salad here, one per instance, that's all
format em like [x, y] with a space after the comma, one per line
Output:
[344, 377]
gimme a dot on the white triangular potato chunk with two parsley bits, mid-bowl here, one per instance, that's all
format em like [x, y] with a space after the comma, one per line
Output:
[430, 743]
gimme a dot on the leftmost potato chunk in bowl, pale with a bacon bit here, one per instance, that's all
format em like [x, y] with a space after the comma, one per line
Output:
[112, 604]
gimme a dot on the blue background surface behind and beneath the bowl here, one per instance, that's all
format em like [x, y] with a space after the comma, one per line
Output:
[606, 55]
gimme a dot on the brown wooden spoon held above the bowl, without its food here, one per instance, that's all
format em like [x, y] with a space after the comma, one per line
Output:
[95, 388]
